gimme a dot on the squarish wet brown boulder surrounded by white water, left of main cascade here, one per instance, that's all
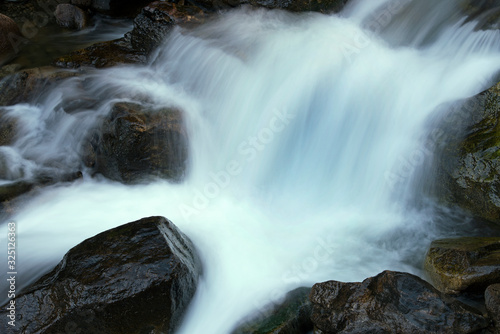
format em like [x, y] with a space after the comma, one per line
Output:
[136, 143]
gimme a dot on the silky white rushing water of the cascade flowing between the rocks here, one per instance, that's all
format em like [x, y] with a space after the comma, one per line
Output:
[299, 126]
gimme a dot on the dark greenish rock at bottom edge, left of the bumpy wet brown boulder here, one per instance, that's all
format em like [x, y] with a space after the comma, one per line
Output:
[292, 316]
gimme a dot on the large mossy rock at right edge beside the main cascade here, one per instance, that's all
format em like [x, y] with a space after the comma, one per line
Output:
[467, 162]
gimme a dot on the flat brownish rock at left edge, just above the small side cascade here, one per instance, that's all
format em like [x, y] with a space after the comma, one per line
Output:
[26, 85]
